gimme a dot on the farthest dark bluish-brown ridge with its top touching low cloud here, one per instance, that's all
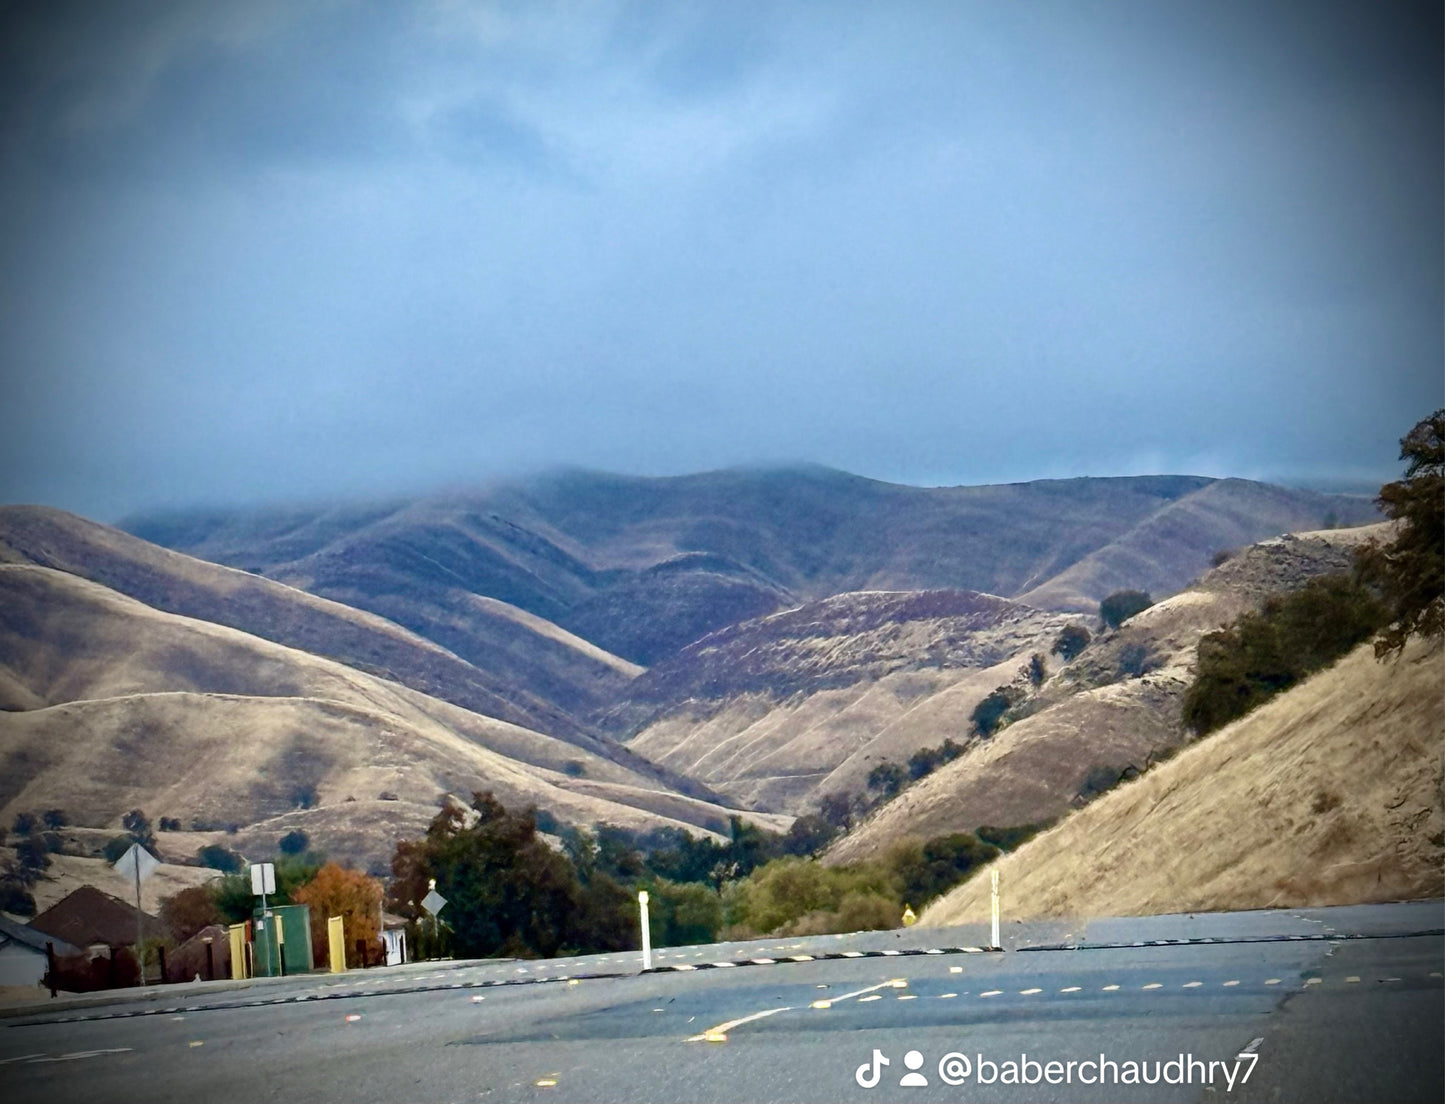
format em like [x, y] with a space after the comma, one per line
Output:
[644, 567]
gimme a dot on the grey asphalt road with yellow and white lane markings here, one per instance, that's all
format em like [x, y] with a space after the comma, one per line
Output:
[1330, 1005]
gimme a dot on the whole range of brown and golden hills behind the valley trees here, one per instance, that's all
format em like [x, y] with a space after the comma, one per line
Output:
[637, 651]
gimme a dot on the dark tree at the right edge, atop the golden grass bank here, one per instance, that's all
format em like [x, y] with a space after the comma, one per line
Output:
[1410, 572]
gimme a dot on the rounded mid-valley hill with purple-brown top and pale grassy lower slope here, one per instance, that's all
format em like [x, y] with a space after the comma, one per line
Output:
[782, 710]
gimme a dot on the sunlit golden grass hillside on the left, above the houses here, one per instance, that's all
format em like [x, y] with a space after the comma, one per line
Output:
[116, 706]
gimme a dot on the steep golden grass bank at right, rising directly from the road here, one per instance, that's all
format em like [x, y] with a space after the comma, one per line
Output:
[1330, 794]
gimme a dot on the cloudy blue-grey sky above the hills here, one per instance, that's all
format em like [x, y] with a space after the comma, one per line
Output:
[317, 249]
